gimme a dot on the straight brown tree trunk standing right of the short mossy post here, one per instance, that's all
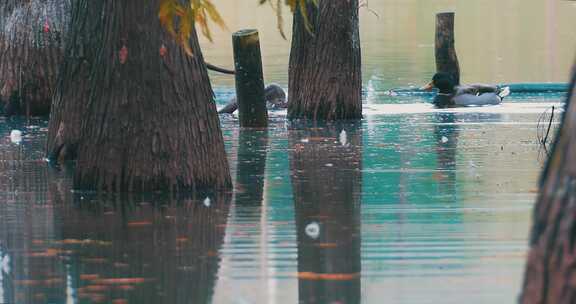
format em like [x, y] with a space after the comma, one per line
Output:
[325, 80]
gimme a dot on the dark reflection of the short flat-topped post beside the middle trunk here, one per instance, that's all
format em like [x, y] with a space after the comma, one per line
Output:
[251, 166]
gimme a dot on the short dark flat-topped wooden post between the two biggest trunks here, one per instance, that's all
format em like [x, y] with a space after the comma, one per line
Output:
[249, 80]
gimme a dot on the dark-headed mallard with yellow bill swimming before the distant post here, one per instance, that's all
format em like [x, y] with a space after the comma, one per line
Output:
[452, 95]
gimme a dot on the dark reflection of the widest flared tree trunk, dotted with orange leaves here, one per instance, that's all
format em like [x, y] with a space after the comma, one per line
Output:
[165, 251]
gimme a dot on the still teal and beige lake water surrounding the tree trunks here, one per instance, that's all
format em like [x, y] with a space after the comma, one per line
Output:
[411, 205]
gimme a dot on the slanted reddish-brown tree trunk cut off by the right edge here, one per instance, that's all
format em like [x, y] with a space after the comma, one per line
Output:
[550, 275]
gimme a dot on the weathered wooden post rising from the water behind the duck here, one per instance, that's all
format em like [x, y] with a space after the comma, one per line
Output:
[446, 59]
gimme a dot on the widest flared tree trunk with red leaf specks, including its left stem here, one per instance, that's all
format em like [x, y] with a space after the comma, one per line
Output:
[148, 121]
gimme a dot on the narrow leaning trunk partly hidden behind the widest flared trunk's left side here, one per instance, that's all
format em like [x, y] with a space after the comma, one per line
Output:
[73, 86]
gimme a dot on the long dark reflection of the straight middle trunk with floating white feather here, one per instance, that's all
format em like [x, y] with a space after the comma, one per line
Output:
[327, 184]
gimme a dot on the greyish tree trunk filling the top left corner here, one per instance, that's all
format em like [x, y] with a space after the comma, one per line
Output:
[31, 48]
